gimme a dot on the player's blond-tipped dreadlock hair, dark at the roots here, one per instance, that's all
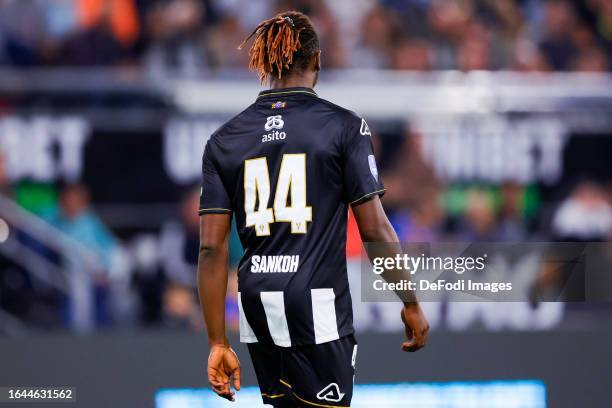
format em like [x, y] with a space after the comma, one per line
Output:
[282, 43]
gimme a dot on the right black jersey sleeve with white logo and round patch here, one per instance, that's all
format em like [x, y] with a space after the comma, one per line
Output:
[361, 179]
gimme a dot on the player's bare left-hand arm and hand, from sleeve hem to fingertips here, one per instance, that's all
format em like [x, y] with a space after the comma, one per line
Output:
[223, 363]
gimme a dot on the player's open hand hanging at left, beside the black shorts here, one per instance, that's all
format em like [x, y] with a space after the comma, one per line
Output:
[222, 364]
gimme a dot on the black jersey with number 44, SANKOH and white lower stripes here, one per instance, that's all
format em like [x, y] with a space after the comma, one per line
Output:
[288, 167]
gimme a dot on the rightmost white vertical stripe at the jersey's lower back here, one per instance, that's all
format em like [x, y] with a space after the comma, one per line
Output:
[324, 315]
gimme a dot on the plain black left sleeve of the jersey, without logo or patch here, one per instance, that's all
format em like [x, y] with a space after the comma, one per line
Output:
[213, 198]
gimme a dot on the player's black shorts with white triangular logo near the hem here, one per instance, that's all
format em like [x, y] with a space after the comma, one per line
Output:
[317, 375]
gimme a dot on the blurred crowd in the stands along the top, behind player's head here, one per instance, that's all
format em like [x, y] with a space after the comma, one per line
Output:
[195, 36]
